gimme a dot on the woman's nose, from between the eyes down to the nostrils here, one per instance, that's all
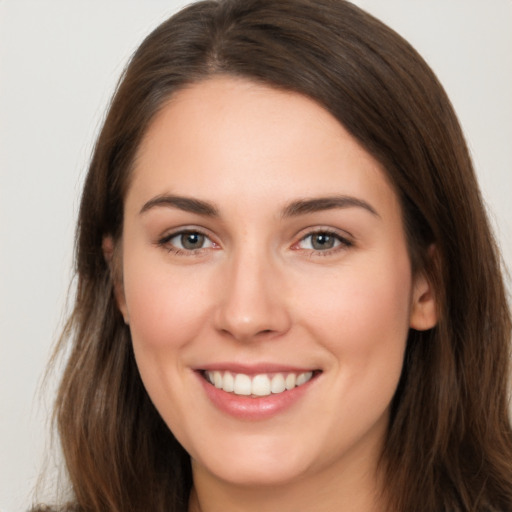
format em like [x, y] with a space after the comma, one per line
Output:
[252, 300]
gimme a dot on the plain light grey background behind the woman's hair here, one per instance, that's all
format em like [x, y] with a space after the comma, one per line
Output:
[59, 62]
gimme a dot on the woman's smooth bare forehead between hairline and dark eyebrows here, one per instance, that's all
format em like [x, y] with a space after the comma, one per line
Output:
[230, 137]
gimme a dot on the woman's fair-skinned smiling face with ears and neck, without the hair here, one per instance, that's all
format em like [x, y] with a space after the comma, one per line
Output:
[260, 239]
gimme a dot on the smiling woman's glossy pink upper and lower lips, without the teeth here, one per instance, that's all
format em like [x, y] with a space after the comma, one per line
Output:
[249, 407]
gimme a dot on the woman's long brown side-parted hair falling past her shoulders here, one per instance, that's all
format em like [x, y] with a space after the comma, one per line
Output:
[449, 444]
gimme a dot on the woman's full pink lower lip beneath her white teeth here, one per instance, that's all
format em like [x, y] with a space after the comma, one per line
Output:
[254, 408]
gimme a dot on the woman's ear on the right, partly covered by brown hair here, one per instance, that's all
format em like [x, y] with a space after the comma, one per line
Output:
[423, 314]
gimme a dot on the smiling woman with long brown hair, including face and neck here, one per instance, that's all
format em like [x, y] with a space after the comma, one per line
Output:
[288, 293]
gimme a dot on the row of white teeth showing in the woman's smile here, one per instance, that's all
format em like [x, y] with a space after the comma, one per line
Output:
[257, 385]
